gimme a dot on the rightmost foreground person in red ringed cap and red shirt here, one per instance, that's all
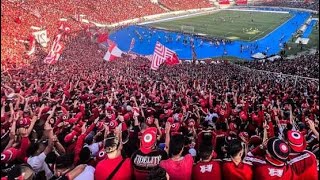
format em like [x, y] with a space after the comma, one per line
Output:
[302, 162]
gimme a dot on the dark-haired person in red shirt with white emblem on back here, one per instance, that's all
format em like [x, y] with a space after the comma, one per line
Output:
[207, 167]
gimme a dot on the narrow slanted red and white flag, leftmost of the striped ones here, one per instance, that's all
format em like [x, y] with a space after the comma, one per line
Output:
[56, 50]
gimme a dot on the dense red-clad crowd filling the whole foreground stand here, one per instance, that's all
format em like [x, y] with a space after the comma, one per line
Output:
[84, 118]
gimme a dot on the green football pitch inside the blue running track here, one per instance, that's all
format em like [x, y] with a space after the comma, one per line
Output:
[242, 25]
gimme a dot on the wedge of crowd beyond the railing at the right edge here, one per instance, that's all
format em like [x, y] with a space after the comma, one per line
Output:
[304, 65]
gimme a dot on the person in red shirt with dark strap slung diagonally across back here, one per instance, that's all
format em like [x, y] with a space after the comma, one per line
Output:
[113, 161]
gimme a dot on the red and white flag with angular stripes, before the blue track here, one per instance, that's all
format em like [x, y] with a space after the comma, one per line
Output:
[160, 55]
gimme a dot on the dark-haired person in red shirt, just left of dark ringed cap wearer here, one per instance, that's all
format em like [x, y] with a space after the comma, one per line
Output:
[234, 168]
